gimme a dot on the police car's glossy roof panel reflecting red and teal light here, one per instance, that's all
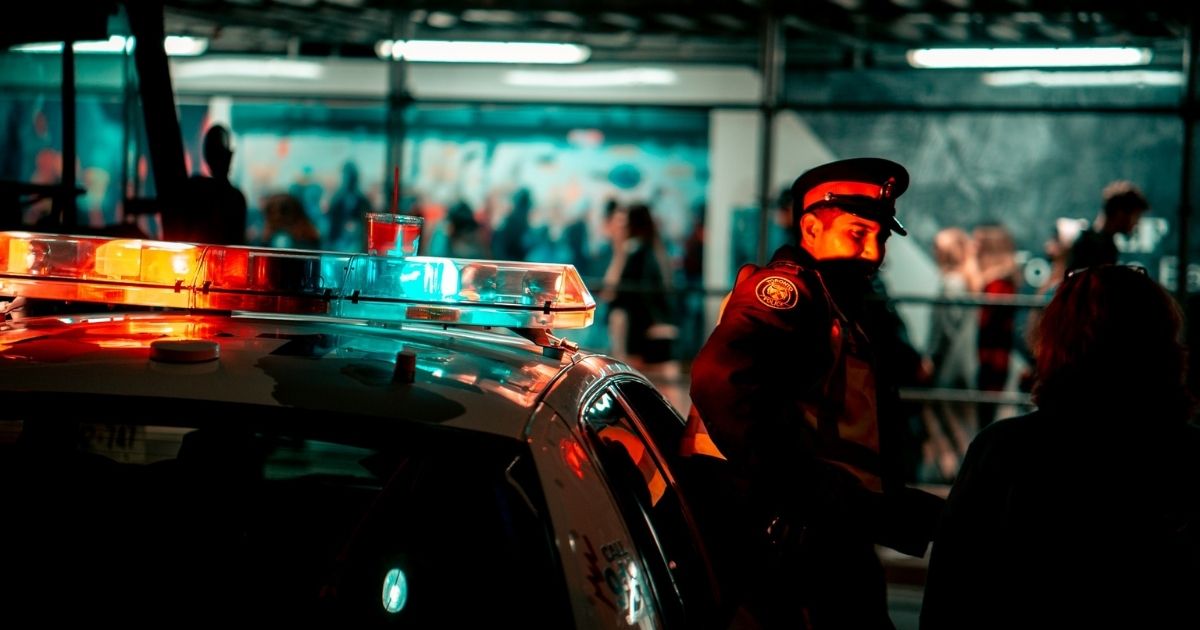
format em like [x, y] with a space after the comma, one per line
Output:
[464, 379]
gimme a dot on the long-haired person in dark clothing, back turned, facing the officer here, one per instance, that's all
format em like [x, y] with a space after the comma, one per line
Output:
[1087, 513]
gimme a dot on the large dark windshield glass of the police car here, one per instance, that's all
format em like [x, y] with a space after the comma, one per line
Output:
[117, 511]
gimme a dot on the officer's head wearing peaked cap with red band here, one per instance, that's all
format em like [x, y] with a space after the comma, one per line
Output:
[845, 211]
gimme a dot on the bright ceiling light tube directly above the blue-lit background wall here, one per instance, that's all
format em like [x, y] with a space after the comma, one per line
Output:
[483, 52]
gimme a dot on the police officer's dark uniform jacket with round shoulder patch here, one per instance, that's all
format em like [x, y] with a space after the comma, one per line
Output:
[776, 386]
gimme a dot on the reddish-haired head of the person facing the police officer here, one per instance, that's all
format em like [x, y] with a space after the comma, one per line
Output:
[1112, 339]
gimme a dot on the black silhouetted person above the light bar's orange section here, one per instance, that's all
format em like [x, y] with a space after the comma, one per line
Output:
[212, 211]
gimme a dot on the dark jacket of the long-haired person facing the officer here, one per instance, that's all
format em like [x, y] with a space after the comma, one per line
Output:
[1079, 519]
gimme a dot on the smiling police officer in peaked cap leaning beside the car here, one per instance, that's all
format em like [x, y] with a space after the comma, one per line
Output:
[785, 421]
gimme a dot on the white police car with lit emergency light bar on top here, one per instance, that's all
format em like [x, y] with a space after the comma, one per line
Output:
[272, 436]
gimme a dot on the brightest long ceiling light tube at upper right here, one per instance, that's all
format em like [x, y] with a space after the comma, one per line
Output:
[1013, 58]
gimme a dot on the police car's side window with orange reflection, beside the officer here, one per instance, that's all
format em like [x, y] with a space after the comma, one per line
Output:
[634, 447]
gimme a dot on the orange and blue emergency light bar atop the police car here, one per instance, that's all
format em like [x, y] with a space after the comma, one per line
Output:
[359, 287]
